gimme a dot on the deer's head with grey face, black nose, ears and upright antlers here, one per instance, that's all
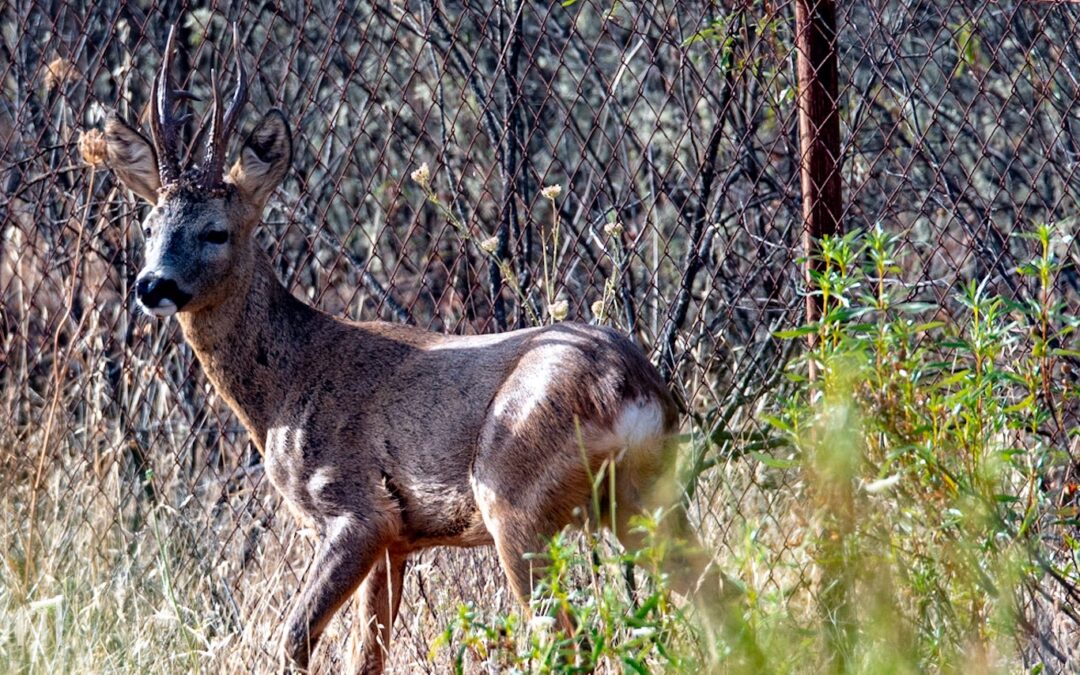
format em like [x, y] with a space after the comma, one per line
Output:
[199, 234]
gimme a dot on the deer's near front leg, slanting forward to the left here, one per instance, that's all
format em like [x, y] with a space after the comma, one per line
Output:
[348, 551]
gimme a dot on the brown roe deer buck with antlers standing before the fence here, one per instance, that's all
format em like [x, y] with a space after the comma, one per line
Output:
[384, 438]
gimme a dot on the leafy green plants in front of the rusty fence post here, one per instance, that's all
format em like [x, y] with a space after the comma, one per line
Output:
[921, 454]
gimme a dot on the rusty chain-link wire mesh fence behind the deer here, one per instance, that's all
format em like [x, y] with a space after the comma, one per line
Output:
[673, 131]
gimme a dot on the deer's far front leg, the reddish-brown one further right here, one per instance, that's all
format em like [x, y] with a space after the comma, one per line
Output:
[381, 598]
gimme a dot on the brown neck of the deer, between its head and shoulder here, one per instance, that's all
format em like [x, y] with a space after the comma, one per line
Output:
[249, 346]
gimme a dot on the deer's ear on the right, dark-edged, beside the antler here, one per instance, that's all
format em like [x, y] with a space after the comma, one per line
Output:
[264, 160]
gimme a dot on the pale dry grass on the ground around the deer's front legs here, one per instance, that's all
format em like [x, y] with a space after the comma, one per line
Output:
[196, 585]
